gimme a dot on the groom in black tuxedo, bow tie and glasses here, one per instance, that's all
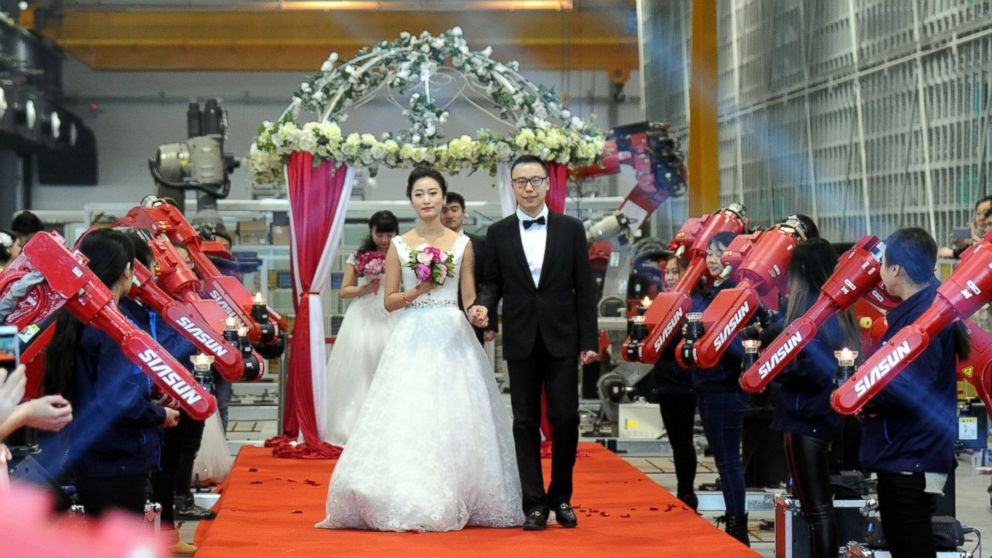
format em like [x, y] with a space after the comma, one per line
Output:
[538, 263]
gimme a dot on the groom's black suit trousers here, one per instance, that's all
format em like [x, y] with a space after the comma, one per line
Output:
[560, 378]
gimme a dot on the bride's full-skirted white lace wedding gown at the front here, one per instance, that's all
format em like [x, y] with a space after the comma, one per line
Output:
[432, 449]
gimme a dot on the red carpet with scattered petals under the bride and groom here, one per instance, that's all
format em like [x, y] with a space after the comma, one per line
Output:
[269, 506]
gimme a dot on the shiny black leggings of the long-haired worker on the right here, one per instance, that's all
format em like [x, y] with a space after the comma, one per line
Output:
[808, 459]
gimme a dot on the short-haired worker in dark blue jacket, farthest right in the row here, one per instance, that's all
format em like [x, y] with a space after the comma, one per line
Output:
[910, 426]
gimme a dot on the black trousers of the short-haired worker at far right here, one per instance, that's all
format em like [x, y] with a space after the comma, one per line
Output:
[906, 511]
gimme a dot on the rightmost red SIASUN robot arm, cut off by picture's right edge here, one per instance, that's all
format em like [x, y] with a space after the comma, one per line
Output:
[965, 291]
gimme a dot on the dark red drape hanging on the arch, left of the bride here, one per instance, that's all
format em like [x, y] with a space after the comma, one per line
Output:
[315, 197]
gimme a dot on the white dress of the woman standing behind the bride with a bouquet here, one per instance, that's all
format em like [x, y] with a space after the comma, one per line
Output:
[353, 360]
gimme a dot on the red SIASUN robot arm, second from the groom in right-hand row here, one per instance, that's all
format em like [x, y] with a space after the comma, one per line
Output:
[761, 274]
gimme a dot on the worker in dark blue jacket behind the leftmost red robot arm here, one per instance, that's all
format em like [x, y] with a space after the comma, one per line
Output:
[116, 437]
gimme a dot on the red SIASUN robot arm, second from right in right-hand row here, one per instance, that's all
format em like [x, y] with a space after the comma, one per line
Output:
[856, 275]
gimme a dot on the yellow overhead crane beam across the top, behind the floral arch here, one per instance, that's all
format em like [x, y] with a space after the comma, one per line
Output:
[166, 35]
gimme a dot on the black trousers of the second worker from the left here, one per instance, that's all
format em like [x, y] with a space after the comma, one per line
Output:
[180, 445]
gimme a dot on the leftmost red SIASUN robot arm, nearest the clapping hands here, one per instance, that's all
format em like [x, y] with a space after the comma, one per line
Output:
[68, 282]
